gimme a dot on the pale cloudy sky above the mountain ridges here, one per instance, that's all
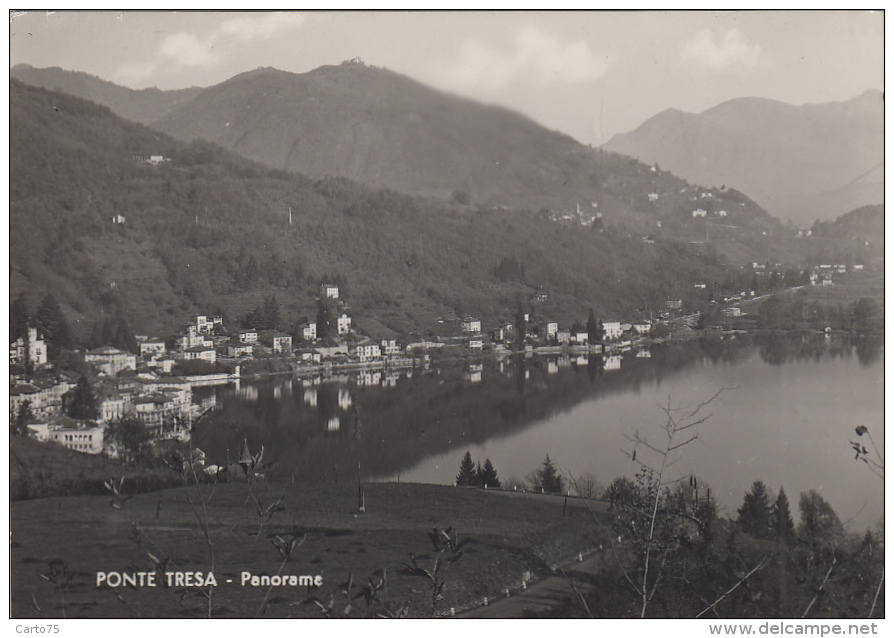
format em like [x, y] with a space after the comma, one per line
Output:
[587, 74]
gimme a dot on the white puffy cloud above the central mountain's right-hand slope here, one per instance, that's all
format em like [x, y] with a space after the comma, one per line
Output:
[534, 56]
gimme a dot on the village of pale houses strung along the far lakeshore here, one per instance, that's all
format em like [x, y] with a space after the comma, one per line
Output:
[151, 388]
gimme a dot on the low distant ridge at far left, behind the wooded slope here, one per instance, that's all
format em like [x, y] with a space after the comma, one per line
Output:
[144, 106]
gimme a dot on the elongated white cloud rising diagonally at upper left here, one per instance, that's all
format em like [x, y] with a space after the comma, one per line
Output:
[189, 50]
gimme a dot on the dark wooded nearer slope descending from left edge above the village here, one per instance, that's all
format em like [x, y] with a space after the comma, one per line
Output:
[210, 232]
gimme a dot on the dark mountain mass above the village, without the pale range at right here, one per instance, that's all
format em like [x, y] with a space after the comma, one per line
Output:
[495, 208]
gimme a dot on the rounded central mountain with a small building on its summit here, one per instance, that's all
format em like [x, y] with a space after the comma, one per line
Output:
[385, 130]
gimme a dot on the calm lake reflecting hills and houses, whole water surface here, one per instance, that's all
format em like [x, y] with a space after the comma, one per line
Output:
[786, 414]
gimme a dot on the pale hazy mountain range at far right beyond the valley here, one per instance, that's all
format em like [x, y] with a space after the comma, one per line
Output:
[801, 163]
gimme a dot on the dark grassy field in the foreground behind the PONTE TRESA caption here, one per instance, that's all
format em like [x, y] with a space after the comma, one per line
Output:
[509, 534]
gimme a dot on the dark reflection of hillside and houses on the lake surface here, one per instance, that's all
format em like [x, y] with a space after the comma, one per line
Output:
[308, 425]
